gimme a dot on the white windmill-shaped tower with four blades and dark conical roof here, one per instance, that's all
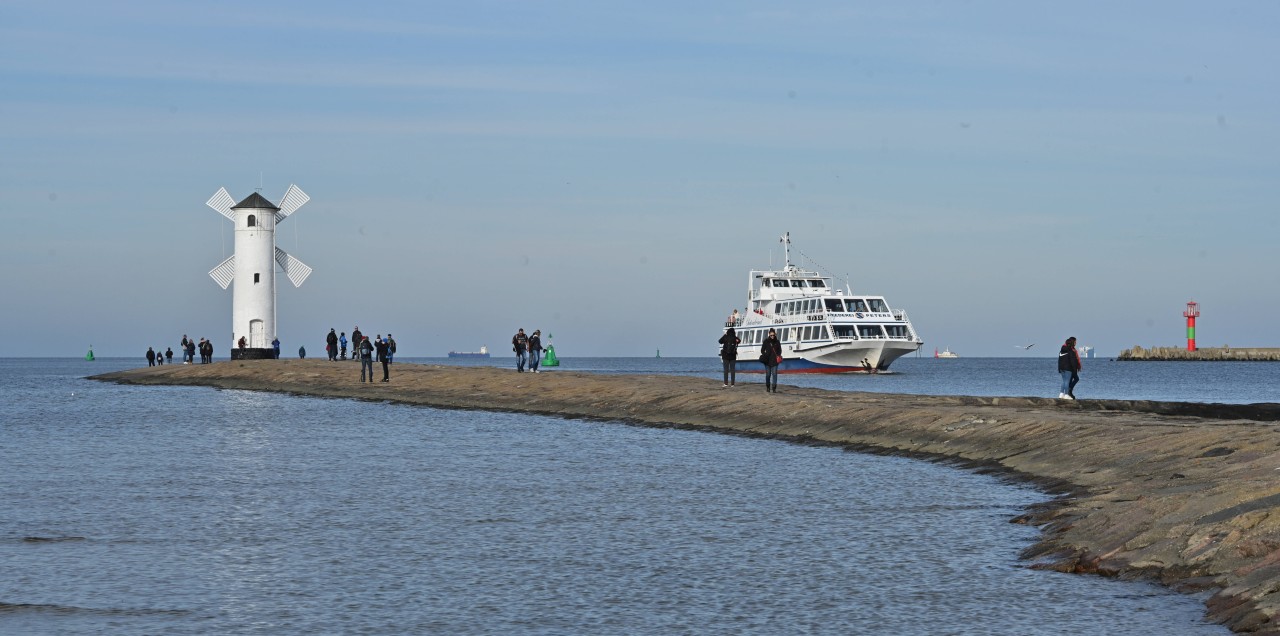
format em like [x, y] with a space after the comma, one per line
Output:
[253, 267]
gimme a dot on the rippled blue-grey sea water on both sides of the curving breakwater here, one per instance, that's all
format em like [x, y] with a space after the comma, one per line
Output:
[181, 510]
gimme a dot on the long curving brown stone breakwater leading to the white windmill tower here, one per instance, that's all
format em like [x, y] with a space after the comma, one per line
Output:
[1185, 495]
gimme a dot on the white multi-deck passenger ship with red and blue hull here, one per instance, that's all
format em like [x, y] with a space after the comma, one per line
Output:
[822, 330]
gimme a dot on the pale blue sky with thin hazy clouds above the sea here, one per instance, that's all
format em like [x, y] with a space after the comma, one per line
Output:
[1007, 172]
